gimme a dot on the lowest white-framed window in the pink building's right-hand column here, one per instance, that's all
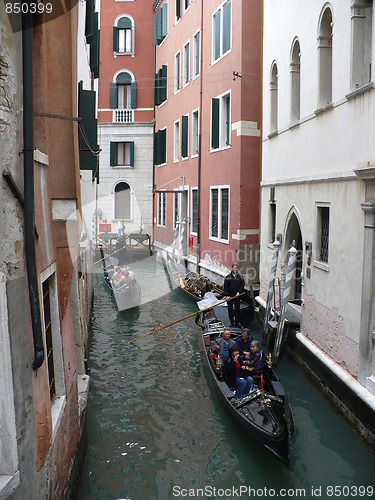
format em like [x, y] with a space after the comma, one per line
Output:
[219, 213]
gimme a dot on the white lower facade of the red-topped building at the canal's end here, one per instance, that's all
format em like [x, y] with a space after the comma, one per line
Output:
[138, 177]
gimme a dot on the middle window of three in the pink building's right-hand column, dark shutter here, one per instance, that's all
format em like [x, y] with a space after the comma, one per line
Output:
[220, 122]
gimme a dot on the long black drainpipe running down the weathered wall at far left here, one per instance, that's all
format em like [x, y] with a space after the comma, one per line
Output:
[28, 164]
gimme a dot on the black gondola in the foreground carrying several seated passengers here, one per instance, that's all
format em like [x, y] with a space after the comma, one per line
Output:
[265, 412]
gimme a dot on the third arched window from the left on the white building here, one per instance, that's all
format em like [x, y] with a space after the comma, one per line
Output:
[325, 58]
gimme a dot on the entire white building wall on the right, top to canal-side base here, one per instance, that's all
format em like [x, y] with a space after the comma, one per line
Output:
[313, 161]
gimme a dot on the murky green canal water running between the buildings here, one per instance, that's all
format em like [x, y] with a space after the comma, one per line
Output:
[156, 426]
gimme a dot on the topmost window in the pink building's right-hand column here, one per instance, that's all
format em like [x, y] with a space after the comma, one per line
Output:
[222, 30]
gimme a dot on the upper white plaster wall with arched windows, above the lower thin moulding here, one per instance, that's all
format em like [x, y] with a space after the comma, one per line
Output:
[334, 141]
